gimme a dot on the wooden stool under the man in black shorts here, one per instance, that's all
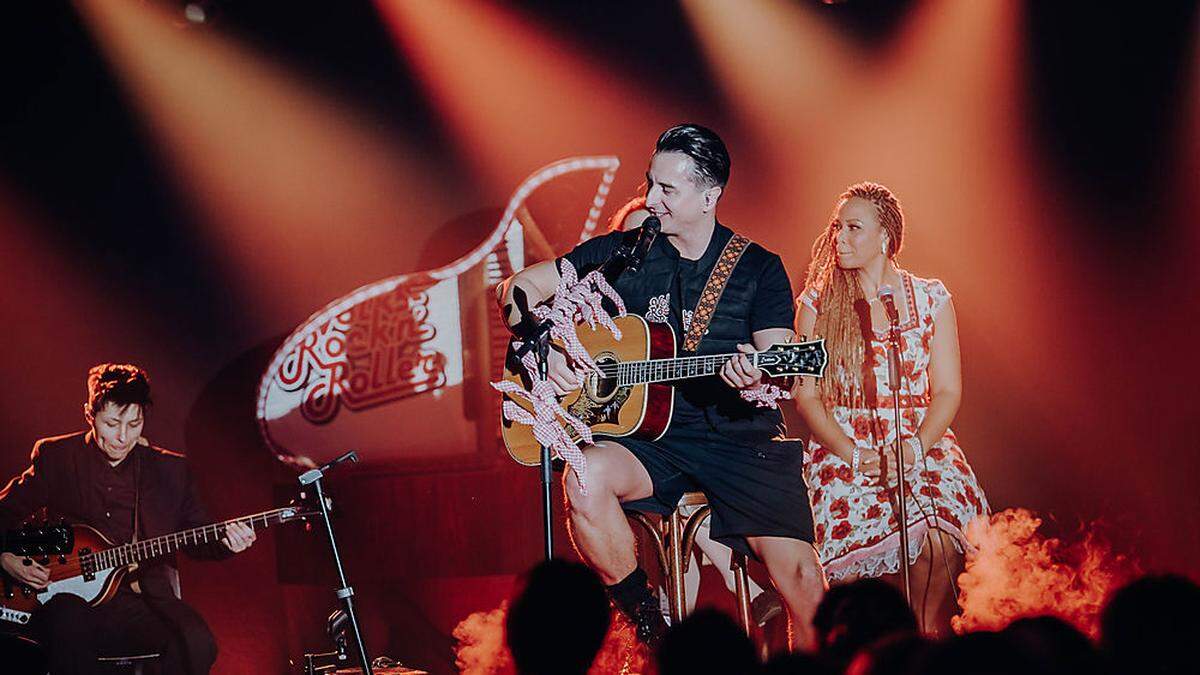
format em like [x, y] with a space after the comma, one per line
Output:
[675, 537]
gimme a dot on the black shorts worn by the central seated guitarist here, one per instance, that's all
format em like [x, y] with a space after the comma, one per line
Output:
[754, 491]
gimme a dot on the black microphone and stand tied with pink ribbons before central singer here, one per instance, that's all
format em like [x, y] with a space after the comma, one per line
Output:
[628, 256]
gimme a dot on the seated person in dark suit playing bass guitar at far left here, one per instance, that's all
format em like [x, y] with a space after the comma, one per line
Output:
[111, 479]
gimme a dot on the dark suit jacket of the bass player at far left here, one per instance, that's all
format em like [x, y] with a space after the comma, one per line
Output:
[58, 481]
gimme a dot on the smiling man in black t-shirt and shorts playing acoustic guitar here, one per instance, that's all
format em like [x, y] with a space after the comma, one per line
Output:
[717, 443]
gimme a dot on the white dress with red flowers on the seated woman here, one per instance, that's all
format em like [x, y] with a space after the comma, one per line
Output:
[856, 528]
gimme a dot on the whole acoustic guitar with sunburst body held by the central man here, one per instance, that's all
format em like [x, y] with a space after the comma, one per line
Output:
[633, 395]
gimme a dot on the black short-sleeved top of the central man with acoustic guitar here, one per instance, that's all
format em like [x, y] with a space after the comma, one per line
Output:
[668, 288]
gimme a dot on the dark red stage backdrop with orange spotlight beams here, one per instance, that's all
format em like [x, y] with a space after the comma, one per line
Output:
[183, 198]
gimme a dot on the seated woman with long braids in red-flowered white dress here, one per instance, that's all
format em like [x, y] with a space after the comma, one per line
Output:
[851, 411]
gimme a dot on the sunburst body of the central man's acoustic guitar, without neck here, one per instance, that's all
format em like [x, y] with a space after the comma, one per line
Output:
[608, 409]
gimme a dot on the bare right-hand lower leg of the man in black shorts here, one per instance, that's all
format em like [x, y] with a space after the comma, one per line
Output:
[796, 571]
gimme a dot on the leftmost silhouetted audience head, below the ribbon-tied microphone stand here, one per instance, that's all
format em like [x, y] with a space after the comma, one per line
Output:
[559, 620]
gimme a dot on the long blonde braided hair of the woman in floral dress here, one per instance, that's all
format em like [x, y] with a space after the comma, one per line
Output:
[838, 294]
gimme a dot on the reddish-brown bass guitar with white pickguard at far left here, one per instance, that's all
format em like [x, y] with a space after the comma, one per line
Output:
[93, 568]
